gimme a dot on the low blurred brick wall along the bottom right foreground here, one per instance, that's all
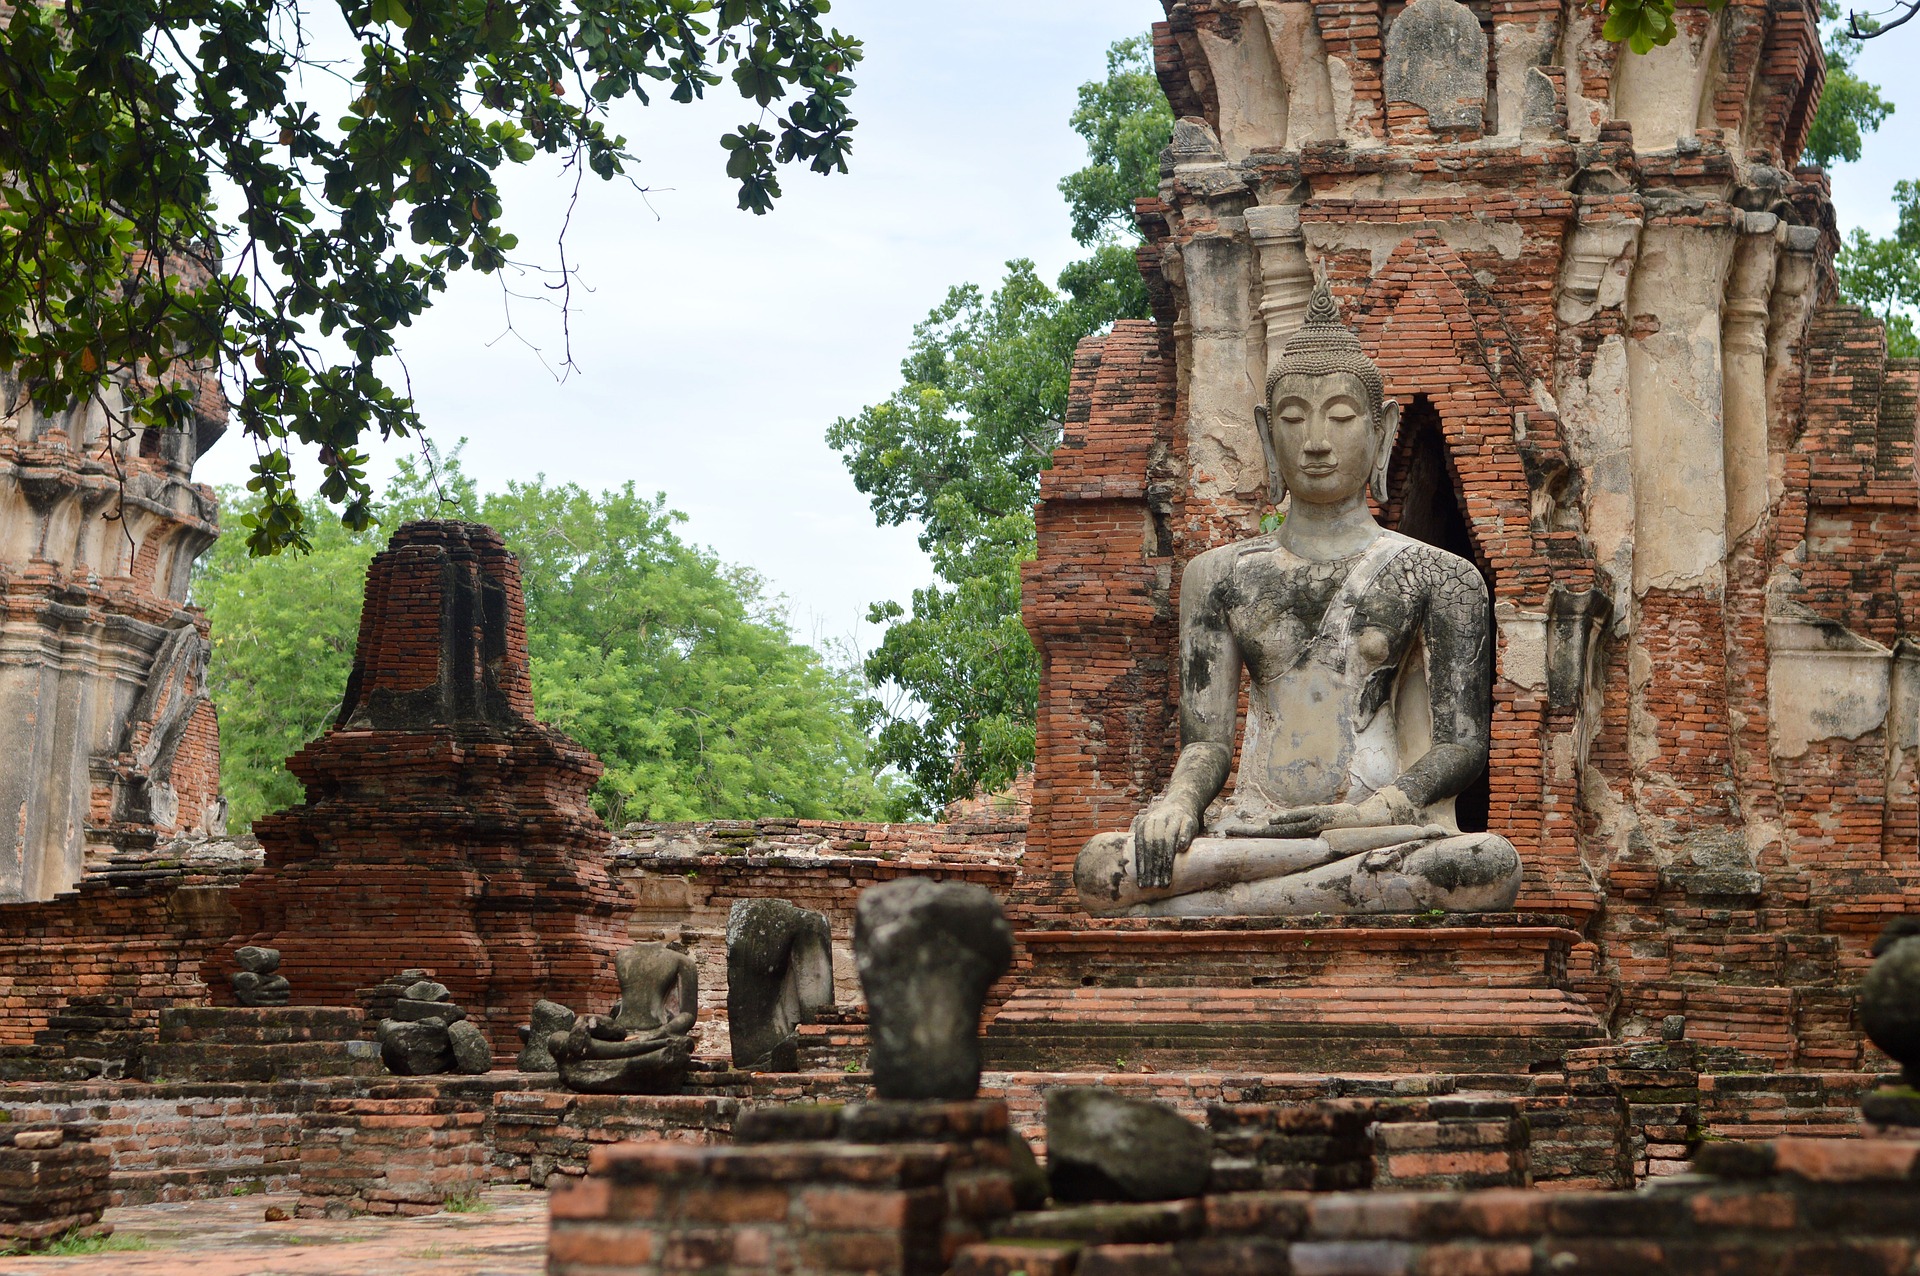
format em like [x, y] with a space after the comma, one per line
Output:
[1798, 1206]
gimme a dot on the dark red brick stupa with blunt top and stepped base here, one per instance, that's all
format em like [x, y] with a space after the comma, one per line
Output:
[444, 828]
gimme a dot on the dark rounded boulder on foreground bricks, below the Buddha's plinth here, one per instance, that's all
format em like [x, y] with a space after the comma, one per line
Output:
[1103, 1146]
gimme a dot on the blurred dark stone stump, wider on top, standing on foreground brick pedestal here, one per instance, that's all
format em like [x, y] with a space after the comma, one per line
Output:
[928, 953]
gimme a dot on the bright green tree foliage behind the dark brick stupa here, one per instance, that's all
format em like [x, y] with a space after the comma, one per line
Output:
[671, 665]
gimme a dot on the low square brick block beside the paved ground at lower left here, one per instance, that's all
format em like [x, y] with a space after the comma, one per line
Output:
[391, 1156]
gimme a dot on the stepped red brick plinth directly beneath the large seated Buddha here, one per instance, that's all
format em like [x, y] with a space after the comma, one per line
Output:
[1393, 999]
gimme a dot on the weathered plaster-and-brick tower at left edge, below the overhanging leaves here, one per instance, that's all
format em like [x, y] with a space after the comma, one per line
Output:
[107, 734]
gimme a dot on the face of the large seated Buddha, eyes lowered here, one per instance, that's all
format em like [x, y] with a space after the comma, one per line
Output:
[1326, 440]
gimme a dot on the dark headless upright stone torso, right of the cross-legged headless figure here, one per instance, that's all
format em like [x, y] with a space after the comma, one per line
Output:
[779, 972]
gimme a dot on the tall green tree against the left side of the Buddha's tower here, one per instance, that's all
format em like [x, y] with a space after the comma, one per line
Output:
[959, 448]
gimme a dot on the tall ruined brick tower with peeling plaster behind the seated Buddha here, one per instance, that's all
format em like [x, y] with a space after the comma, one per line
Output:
[1602, 287]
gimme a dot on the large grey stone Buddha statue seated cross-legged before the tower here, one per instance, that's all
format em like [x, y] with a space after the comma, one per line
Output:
[1368, 659]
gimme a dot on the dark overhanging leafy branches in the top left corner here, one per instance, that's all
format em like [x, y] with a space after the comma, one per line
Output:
[124, 120]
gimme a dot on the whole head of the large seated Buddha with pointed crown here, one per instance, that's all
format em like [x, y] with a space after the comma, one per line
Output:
[1326, 427]
